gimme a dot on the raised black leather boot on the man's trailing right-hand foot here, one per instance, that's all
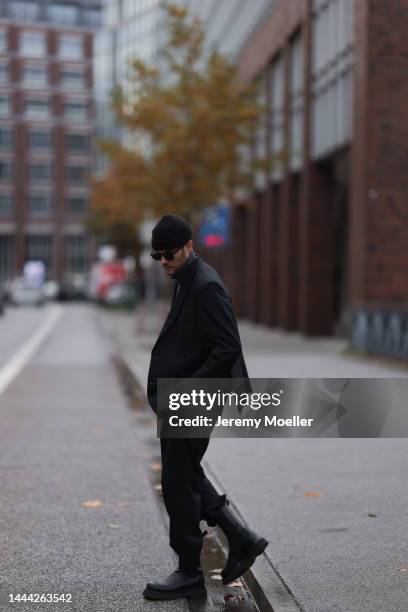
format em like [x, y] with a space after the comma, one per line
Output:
[244, 545]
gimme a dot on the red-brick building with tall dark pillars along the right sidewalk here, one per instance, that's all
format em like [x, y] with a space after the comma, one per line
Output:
[321, 247]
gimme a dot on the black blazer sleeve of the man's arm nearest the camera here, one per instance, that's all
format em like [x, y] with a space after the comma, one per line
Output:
[218, 331]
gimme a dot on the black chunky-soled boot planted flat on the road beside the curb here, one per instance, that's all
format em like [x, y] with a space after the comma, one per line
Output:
[181, 583]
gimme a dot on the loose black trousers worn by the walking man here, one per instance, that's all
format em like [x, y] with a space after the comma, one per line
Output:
[188, 496]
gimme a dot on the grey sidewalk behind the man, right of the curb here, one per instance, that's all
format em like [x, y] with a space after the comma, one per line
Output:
[332, 509]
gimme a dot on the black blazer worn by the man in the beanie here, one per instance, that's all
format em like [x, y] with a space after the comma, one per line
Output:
[200, 337]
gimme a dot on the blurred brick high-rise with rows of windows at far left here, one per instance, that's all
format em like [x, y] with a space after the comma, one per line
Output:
[47, 128]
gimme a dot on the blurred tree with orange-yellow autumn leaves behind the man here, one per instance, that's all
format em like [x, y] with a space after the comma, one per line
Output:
[189, 121]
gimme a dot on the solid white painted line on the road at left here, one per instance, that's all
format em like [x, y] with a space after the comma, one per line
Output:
[20, 359]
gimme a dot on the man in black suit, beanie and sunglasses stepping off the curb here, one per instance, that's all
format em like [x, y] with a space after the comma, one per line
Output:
[199, 339]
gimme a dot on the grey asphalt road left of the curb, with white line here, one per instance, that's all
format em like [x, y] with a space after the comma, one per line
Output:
[68, 438]
